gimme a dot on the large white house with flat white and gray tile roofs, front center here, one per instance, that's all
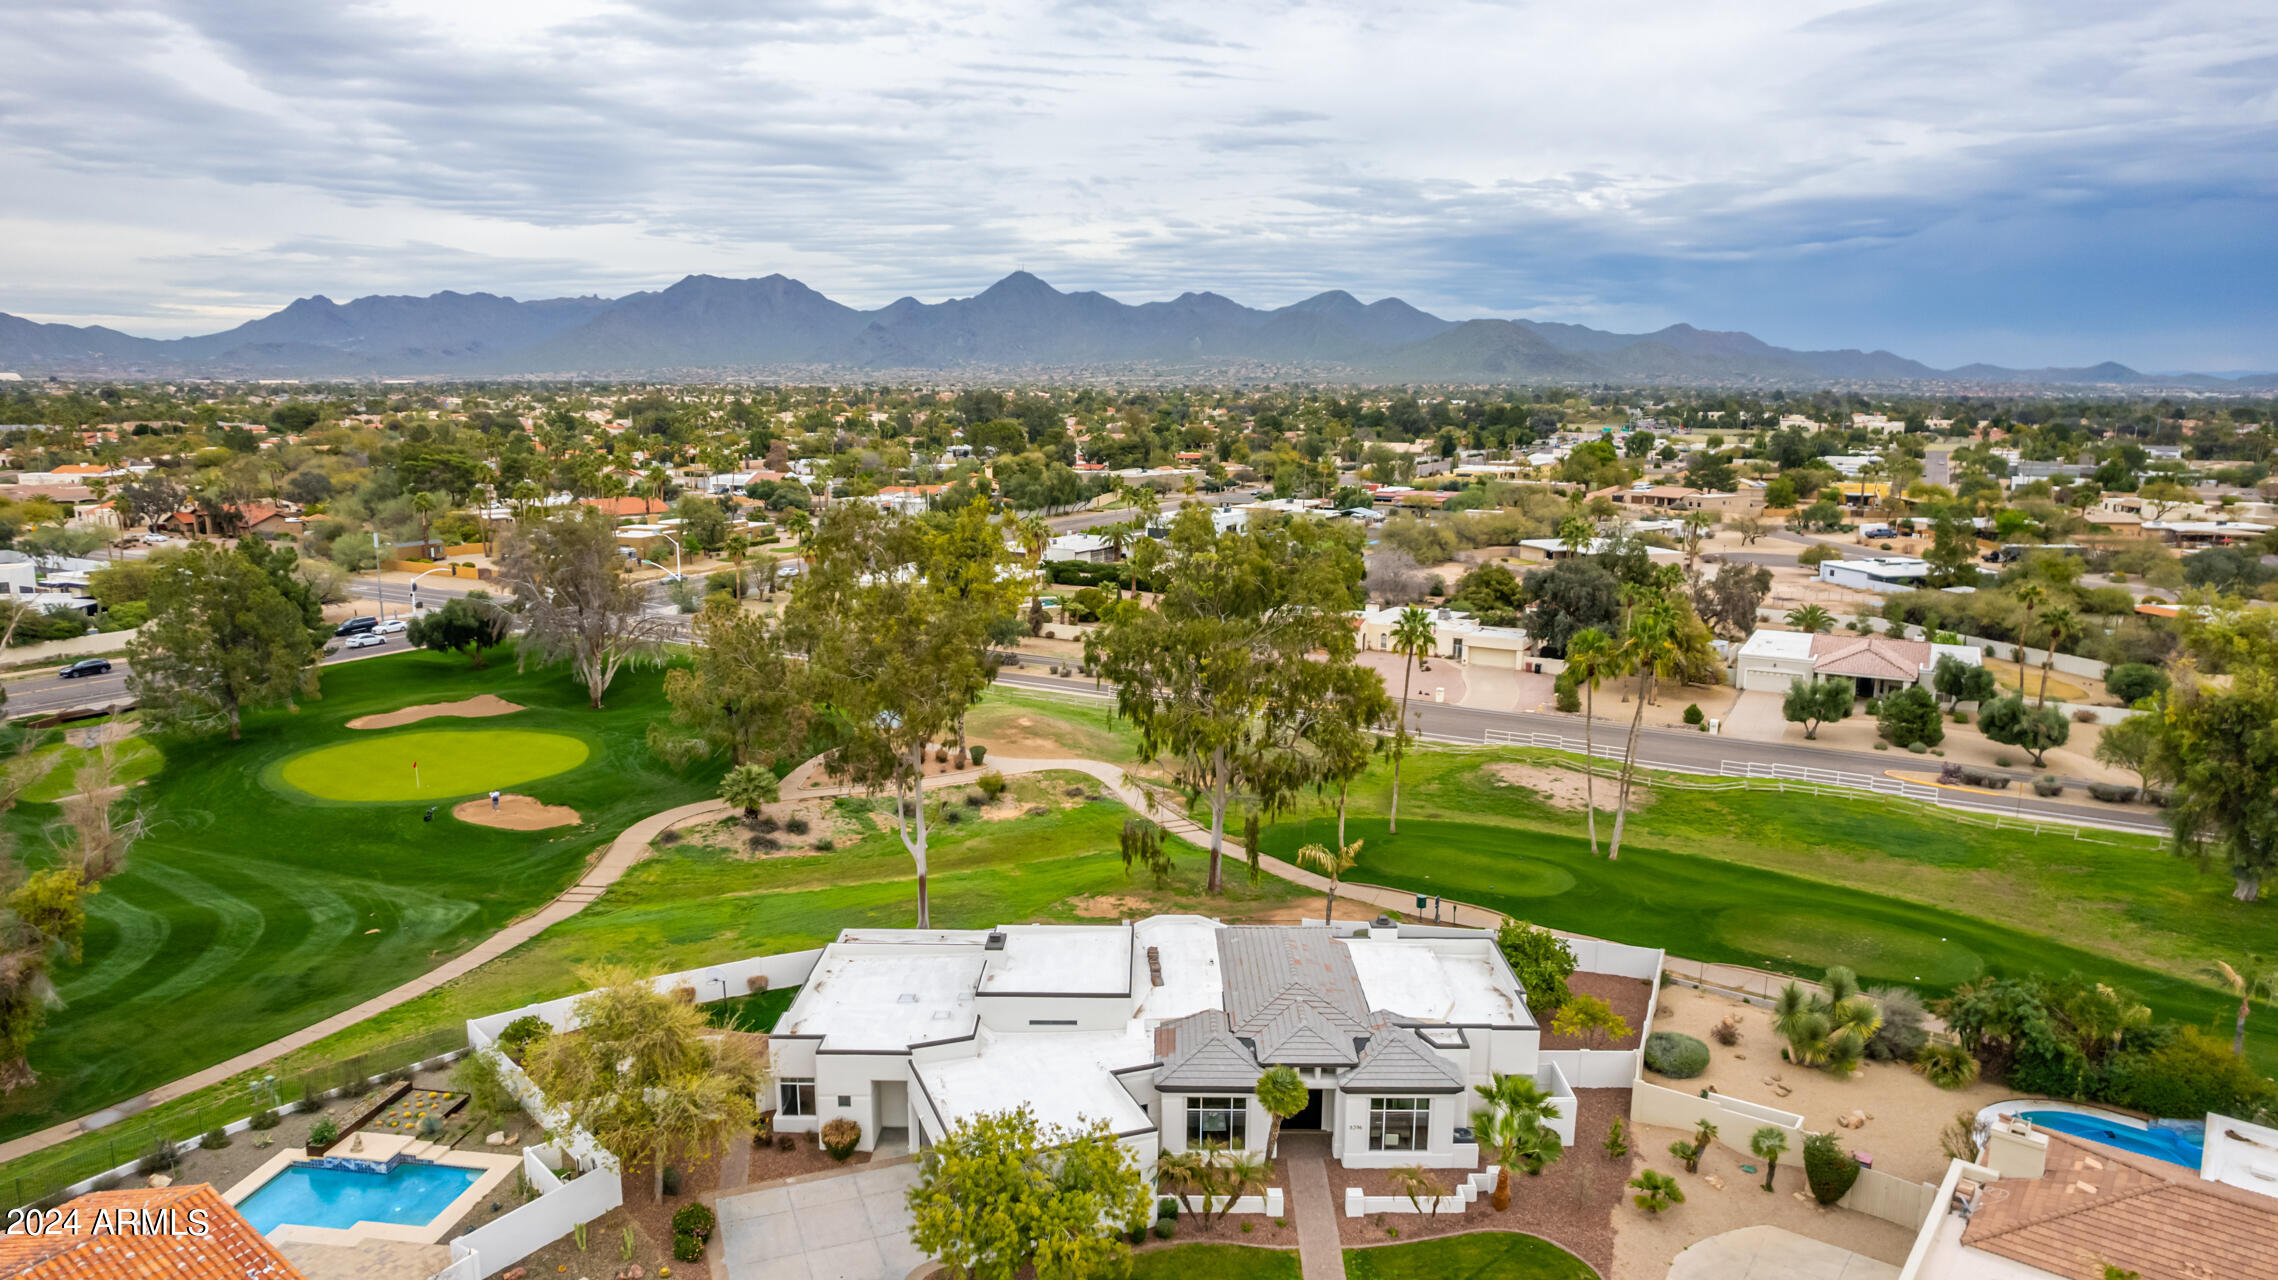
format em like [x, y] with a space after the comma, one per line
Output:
[1163, 1028]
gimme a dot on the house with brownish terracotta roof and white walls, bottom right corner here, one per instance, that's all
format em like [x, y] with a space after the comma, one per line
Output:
[2079, 1211]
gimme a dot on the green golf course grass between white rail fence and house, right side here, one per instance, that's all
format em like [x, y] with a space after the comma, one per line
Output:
[1685, 885]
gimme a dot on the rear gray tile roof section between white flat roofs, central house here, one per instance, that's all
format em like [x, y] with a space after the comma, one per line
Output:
[1293, 992]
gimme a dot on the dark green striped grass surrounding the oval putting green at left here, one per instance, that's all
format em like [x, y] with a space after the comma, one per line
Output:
[247, 914]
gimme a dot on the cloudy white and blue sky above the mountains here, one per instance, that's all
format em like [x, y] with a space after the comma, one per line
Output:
[1949, 179]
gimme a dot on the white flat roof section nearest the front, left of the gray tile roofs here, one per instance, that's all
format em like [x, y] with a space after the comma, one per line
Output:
[1065, 1078]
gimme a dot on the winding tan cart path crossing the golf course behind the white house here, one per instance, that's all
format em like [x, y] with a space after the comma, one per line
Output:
[634, 844]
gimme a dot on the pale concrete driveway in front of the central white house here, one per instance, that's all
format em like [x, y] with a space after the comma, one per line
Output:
[853, 1226]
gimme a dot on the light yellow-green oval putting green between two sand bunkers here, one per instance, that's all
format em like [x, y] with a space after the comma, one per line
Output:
[432, 766]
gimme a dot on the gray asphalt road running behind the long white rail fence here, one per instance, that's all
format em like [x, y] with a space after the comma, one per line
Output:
[1696, 750]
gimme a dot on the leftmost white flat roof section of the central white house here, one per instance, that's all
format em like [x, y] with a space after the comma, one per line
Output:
[890, 996]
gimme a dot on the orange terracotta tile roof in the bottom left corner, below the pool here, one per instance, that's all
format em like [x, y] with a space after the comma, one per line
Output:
[174, 1233]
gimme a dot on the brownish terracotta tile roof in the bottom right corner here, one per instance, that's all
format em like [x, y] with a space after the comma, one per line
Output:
[2099, 1206]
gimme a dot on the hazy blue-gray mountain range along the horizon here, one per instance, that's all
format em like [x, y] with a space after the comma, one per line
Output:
[710, 327]
